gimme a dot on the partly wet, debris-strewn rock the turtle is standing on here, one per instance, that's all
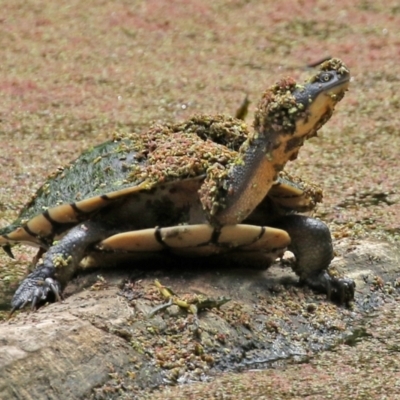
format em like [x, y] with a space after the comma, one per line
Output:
[99, 343]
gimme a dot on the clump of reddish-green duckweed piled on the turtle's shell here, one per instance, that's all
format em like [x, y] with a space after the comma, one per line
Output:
[182, 151]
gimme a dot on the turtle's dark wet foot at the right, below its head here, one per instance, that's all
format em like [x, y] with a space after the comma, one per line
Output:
[337, 289]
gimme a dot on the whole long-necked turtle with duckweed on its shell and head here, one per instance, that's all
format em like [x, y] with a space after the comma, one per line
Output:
[206, 186]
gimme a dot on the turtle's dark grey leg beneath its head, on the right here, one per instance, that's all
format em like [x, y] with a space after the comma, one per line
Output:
[311, 244]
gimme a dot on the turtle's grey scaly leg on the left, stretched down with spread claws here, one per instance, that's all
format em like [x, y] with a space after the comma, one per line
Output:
[59, 264]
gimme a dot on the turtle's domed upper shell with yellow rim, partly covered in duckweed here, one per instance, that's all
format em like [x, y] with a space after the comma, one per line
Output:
[135, 162]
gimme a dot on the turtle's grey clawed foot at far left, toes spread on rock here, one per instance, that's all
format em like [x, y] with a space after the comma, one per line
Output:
[36, 287]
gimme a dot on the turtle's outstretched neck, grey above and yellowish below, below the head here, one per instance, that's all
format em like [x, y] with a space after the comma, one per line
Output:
[252, 177]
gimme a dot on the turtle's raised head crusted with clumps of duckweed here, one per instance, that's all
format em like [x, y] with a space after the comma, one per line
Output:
[290, 112]
